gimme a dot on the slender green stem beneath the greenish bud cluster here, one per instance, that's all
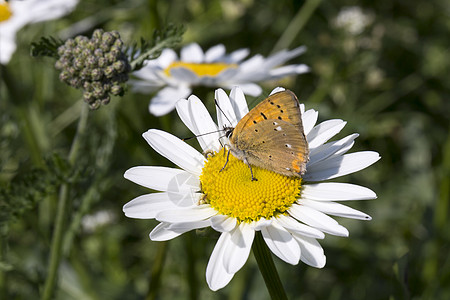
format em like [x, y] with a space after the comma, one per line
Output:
[56, 247]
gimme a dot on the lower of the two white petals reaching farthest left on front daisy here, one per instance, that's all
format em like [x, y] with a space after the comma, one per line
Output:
[147, 206]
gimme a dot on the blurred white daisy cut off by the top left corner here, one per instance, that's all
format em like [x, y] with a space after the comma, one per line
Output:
[15, 14]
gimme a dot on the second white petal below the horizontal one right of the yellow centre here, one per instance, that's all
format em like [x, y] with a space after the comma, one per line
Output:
[317, 219]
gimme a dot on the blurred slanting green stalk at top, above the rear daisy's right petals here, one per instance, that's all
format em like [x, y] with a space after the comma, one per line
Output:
[296, 25]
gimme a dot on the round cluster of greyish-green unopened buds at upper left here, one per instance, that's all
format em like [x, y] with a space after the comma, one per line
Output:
[96, 65]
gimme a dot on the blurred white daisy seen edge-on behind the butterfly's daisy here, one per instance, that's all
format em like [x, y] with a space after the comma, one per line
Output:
[175, 76]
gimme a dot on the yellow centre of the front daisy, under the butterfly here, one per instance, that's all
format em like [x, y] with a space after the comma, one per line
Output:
[233, 193]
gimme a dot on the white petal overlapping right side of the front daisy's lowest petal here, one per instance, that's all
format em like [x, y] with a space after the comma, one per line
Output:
[238, 250]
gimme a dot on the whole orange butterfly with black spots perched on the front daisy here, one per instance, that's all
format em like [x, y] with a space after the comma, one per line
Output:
[271, 136]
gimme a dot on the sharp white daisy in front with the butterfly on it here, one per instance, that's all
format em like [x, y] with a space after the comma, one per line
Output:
[291, 213]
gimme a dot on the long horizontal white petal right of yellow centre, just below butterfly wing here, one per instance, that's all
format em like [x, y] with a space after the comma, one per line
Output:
[333, 191]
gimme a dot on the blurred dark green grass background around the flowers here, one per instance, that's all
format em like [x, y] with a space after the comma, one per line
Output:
[390, 82]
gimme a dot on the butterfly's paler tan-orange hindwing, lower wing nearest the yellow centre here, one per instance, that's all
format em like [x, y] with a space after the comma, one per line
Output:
[275, 145]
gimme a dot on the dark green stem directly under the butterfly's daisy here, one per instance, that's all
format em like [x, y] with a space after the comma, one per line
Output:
[267, 267]
